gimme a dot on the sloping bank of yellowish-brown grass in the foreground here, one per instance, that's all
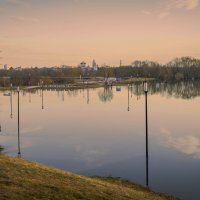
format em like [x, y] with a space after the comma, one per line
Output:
[20, 179]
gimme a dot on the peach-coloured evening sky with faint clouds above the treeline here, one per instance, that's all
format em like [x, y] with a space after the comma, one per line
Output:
[57, 32]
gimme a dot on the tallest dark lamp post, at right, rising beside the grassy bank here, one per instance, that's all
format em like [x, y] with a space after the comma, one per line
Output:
[146, 117]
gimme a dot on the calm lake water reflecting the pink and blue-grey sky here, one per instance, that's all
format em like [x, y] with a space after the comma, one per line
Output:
[102, 132]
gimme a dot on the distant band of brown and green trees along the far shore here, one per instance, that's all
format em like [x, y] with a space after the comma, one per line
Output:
[185, 68]
